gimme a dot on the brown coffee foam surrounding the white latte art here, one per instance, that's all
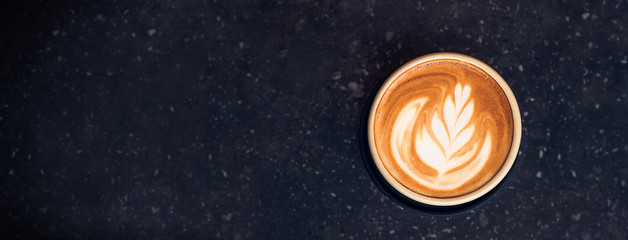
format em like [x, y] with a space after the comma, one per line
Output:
[434, 81]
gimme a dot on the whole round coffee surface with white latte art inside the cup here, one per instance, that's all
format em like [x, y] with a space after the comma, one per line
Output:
[443, 128]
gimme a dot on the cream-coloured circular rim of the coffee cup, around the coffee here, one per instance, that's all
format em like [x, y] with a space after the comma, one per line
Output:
[484, 189]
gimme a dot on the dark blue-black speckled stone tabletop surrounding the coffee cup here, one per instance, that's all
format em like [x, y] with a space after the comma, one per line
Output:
[241, 120]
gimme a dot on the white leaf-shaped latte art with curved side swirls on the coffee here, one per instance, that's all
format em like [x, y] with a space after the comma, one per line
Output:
[443, 139]
